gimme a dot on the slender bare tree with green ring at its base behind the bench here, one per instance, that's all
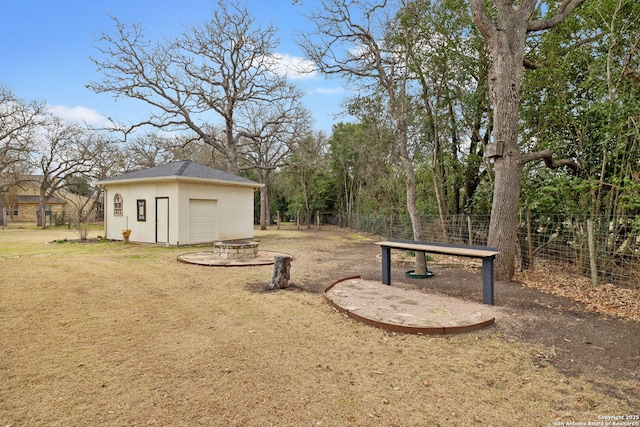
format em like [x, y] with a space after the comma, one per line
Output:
[348, 40]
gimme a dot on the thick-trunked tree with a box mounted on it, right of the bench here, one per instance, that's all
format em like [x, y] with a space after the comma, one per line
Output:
[505, 33]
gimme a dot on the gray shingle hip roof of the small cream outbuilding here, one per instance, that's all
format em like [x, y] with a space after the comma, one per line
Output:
[185, 169]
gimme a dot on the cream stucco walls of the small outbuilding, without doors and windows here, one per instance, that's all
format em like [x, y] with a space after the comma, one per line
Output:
[235, 209]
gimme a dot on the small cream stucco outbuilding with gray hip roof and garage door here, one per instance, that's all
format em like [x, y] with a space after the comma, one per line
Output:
[180, 203]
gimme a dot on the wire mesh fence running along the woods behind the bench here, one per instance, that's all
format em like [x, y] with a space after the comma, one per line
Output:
[605, 249]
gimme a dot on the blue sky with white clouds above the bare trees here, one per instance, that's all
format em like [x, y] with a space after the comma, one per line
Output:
[46, 45]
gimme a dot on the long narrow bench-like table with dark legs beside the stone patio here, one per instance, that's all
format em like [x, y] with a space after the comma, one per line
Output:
[486, 254]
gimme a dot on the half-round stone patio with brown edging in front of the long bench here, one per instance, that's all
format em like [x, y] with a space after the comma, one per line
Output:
[401, 309]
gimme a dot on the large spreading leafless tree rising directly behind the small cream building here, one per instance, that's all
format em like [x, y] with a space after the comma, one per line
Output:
[198, 81]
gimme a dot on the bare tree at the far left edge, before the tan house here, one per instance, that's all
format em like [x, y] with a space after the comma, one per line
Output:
[18, 122]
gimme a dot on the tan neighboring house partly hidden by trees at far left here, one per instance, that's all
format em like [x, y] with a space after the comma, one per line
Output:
[21, 202]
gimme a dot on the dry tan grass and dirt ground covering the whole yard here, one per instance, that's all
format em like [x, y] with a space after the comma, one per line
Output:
[114, 334]
